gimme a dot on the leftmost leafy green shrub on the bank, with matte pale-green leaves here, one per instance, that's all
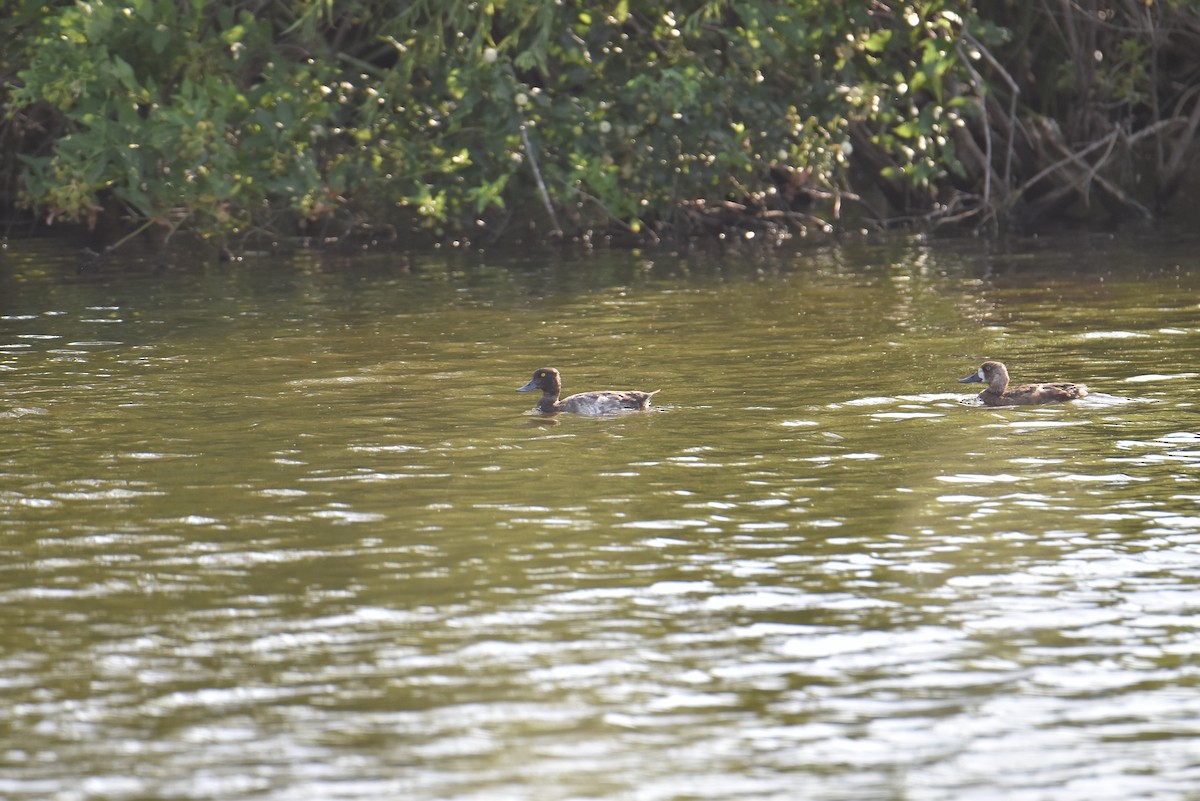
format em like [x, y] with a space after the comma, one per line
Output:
[177, 113]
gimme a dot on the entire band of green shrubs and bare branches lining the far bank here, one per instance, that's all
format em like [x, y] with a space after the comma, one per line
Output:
[261, 123]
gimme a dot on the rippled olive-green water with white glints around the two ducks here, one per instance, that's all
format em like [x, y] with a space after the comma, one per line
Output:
[281, 529]
